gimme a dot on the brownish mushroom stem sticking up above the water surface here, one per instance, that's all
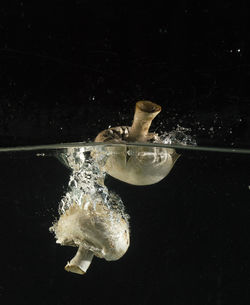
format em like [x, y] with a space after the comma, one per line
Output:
[145, 112]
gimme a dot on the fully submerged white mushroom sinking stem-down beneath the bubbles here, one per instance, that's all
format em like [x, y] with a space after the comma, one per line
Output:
[96, 230]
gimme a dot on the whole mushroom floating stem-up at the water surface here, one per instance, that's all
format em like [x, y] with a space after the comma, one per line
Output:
[138, 165]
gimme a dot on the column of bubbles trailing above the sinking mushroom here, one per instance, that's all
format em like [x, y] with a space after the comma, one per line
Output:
[86, 183]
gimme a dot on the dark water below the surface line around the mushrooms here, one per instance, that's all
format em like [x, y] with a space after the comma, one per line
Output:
[189, 235]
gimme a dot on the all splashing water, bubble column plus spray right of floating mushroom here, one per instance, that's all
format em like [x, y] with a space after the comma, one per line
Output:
[86, 181]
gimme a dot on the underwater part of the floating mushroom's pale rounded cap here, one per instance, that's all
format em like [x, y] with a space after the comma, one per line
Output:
[138, 165]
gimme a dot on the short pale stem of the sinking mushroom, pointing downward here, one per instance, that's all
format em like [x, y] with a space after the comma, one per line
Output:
[80, 262]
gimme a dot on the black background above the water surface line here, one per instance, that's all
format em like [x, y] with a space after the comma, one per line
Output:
[71, 68]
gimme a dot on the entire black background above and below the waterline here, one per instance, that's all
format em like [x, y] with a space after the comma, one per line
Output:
[69, 69]
